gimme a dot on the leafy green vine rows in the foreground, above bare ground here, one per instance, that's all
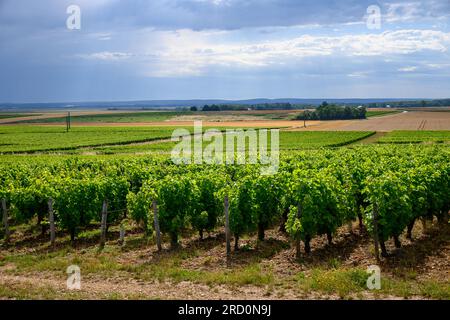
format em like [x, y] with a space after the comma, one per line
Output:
[386, 189]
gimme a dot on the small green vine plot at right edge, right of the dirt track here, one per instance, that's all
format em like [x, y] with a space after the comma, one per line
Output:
[416, 137]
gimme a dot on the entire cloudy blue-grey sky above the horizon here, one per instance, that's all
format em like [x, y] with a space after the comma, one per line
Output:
[223, 49]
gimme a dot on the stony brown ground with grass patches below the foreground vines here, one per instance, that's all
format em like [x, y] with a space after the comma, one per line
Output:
[199, 269]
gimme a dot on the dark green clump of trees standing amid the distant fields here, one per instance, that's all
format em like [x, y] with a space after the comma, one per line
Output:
[333, 112]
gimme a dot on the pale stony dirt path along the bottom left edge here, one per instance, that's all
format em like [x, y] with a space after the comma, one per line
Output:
[95, 287]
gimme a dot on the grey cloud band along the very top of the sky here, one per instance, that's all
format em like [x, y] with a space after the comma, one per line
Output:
[213, 14]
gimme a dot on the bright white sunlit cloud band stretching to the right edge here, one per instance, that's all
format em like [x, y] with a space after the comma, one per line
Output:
[189, 53]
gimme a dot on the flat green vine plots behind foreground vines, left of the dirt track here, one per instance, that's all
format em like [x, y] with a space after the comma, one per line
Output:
[139, 139]
